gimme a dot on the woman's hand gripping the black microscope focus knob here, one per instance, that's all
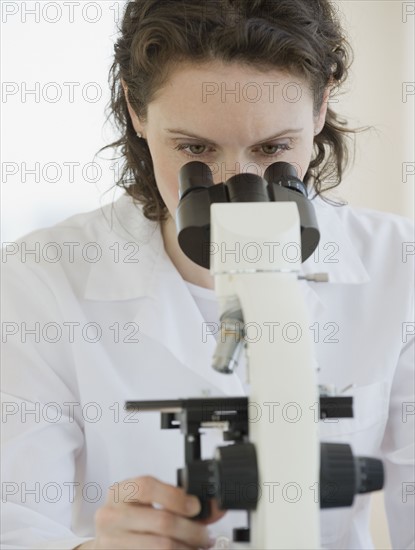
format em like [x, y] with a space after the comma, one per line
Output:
[129, 520]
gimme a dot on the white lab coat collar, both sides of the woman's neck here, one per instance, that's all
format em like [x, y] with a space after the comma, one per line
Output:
[124, 278]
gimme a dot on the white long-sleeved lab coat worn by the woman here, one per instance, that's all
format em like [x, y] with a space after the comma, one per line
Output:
[59, 461]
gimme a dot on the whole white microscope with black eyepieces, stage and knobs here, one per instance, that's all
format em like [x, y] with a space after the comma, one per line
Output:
[275, 468]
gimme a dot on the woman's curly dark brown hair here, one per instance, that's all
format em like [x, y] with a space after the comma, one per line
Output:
[304, 37]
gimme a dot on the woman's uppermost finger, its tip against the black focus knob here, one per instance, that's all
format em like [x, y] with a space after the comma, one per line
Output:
[149, 490]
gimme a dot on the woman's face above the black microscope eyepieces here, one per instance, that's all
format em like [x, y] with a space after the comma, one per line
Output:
[231, 117]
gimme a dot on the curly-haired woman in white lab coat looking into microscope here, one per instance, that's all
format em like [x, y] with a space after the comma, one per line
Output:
[119, 316]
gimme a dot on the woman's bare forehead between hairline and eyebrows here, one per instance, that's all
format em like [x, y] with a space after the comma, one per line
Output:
[230, 90]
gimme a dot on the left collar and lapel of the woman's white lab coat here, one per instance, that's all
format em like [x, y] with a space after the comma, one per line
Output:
[165, 311]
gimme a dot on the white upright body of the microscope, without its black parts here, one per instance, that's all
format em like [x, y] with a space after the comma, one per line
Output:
[262, 275]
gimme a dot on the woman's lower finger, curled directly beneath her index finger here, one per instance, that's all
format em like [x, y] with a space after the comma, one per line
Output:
[145, 519]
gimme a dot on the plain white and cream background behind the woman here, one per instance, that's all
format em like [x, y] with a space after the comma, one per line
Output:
[62, 51]
